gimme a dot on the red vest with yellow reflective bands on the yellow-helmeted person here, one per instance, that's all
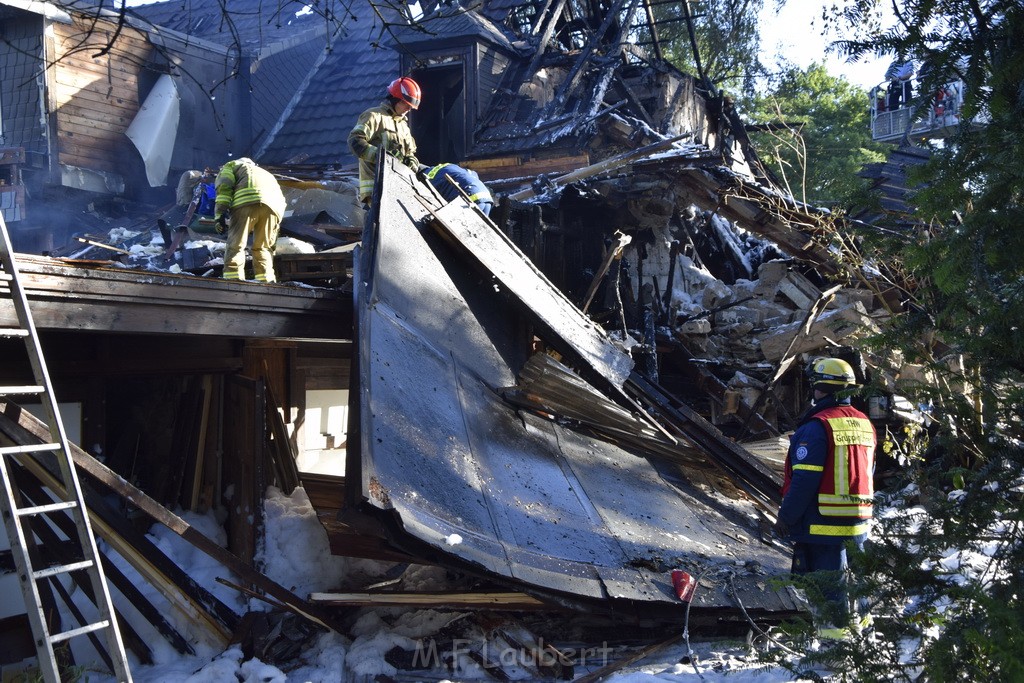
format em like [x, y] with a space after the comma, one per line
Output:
[847, 488]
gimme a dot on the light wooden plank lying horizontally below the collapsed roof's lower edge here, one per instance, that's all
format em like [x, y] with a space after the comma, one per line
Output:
[497, 601]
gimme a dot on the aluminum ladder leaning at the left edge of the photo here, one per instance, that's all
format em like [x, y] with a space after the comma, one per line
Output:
[71, 503]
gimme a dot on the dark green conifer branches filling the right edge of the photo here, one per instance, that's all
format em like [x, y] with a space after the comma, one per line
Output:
[946, 578]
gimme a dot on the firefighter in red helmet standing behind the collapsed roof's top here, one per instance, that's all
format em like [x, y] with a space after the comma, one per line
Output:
[386, 124]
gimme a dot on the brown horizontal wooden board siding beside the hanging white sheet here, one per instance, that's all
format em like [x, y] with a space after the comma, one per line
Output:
[96, 96]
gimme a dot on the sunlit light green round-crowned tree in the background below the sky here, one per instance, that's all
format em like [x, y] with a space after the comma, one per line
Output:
[816, 135]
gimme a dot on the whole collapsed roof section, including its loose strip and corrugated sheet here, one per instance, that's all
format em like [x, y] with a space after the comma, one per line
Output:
[463, 444]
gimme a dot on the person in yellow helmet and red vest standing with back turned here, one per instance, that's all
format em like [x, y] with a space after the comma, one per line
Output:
[828, 491]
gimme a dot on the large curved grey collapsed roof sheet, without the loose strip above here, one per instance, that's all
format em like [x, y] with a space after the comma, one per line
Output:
[514, 494]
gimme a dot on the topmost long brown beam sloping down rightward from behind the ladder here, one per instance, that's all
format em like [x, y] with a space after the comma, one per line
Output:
[160, 515]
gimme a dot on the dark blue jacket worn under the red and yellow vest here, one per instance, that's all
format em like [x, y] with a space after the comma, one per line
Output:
[809, 450]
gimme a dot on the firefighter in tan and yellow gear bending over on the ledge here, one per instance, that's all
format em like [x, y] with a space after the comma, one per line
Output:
[250, 198]
